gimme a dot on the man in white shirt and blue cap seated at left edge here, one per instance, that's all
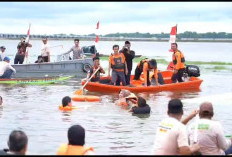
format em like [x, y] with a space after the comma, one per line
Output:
[6, 70]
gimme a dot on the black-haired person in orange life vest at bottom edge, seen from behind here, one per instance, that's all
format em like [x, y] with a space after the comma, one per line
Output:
[76, 142]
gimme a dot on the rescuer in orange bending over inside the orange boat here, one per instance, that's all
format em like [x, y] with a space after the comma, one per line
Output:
[144, 66]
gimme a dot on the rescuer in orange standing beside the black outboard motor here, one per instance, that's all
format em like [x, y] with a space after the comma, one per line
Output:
[179, 63]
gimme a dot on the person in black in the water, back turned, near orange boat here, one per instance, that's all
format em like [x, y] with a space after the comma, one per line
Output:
[141, 107]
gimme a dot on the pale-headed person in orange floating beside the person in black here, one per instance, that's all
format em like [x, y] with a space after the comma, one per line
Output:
[126, 98]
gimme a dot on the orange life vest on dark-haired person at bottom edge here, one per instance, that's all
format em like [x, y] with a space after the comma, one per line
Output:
[66, 149]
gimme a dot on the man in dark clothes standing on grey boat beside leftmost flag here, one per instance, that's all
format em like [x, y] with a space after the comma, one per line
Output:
[20, 55]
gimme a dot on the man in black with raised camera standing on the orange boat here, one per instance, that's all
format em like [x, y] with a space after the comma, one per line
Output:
[129, 55]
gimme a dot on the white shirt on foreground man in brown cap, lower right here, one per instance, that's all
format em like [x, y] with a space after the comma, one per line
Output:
[211, 138]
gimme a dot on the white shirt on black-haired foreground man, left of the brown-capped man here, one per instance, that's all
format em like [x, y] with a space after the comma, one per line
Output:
[171, 134]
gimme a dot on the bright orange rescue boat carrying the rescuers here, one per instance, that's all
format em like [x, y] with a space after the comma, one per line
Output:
[193, 83]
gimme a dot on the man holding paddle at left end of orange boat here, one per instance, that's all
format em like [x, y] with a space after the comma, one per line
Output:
[96, 65]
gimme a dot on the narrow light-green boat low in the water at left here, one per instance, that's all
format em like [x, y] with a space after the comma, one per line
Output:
[34, 81]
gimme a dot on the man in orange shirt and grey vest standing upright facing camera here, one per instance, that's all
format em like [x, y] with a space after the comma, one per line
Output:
[118, 64]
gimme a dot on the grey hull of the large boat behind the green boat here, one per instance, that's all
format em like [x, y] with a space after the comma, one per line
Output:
[65, 68]
